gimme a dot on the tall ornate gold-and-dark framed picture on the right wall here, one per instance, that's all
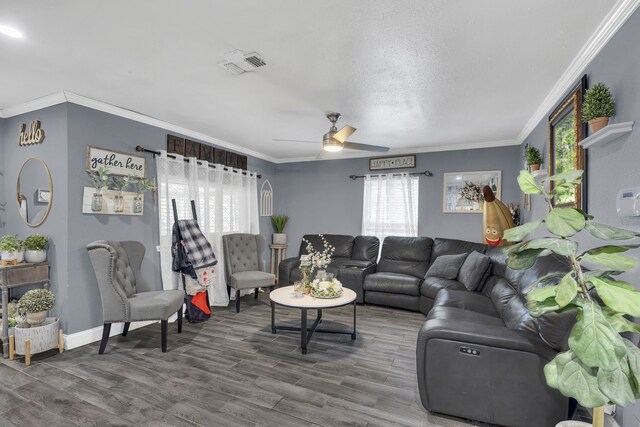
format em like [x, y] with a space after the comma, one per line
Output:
[565, 154]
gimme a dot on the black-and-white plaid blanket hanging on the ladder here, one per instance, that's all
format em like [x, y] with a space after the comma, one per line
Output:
[195, 248]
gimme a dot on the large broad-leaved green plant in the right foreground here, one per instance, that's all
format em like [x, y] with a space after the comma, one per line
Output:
[600, 367]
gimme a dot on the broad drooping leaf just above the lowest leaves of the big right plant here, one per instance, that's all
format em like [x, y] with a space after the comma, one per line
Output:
[594, 341]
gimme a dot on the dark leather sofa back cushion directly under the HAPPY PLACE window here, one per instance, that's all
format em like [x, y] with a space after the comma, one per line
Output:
[406, 255]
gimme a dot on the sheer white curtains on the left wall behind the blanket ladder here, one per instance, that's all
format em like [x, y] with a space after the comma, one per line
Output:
[226, 202]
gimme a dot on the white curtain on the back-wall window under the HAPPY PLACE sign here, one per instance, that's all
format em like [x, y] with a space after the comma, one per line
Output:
[390, 205]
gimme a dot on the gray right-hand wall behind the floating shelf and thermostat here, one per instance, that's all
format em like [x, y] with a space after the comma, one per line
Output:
[615, 165]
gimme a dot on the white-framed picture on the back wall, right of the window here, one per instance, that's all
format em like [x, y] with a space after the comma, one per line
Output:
[462, 191]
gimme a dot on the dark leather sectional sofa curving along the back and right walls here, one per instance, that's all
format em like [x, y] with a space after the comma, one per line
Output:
[480, 353]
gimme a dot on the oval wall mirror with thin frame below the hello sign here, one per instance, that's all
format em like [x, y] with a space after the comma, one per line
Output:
[34, 192]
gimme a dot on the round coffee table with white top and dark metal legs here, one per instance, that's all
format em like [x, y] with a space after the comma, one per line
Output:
[286, 297]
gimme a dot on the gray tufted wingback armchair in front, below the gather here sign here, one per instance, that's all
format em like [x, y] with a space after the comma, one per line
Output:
[126, 296]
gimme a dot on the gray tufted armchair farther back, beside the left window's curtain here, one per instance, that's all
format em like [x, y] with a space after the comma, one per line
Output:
[244, 266]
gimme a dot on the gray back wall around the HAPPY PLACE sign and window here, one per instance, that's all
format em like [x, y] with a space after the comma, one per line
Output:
[321, 198]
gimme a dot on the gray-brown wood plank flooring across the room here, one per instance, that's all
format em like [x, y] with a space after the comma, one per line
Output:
[229, 371]
